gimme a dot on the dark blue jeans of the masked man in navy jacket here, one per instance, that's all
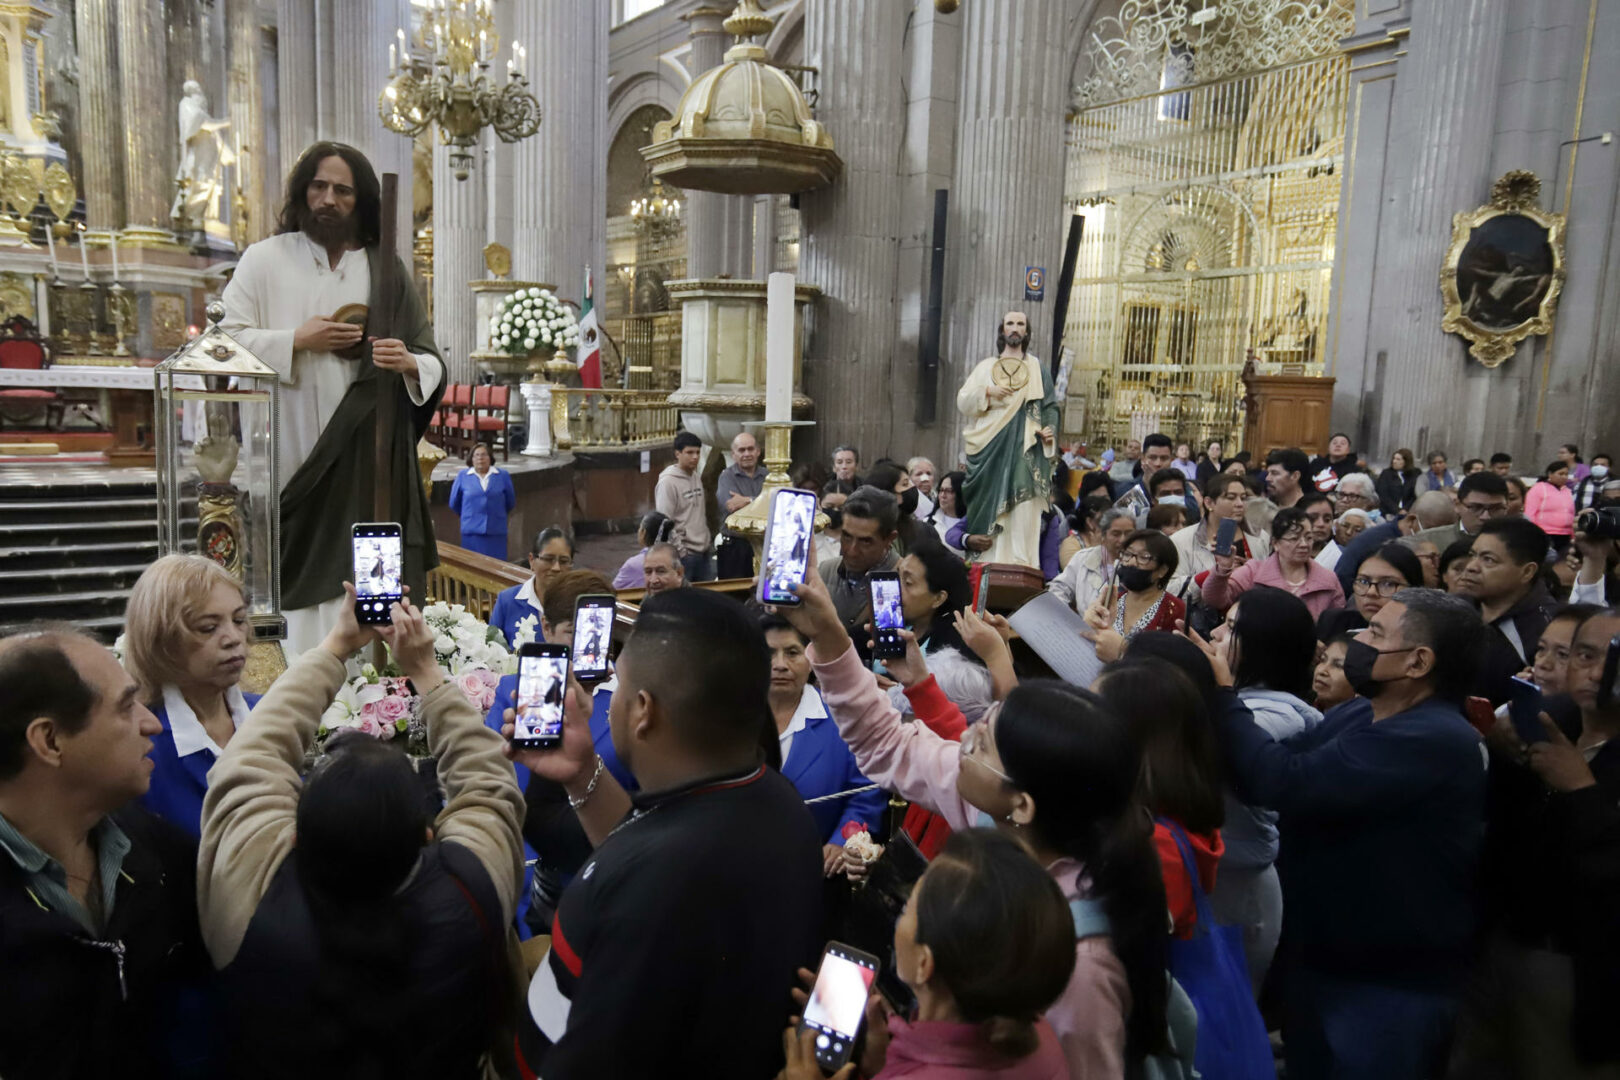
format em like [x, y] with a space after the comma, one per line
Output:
[1339, 1029]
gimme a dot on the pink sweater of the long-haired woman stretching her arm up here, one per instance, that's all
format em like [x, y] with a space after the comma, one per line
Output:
[923, 768]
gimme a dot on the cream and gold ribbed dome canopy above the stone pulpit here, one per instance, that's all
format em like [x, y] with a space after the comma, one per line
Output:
[744, 127]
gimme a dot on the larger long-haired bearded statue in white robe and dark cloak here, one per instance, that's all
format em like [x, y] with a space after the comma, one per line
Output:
[281, 304]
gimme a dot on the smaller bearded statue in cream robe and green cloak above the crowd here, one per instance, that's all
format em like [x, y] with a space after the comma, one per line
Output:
[1010, 417]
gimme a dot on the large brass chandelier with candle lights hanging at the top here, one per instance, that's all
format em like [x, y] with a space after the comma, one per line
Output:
[446, 82]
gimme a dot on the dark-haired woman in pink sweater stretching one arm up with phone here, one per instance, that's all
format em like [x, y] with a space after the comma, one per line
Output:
[1057, 768]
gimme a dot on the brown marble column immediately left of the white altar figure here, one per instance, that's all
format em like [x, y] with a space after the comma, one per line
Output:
[150, 127]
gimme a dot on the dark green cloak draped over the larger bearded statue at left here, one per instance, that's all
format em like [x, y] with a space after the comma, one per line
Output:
[333, 490]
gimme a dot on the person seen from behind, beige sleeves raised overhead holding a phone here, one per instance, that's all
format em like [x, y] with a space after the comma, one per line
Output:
[375, 945]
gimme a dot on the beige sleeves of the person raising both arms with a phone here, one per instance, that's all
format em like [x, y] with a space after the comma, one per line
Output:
[252, 804]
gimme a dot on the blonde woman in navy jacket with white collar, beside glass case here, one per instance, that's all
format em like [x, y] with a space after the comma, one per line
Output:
[185, 647]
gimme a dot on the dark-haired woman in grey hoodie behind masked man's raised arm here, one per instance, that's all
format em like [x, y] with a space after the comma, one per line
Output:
[1269, 644]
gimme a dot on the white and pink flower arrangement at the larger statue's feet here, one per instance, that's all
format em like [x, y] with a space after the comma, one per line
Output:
[383, 705]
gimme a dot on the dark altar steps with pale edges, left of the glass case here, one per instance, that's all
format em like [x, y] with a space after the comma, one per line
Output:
[72, 550]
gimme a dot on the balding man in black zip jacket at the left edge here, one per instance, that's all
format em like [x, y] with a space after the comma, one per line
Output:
[98, 904]
